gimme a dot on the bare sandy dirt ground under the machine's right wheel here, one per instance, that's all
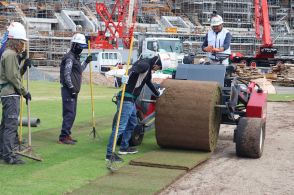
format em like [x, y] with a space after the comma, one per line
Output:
[224, 173]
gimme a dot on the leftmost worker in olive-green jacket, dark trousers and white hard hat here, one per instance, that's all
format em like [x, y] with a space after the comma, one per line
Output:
[11, 89]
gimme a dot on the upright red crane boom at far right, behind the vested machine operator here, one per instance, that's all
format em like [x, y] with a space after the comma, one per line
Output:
[266, 50]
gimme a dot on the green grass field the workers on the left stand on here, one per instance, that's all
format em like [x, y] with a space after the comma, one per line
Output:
[65, 168]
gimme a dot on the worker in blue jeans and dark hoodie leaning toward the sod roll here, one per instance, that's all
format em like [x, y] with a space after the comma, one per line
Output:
[139, 75]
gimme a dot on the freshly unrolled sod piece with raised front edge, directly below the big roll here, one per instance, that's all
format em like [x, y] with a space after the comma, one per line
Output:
[172, 159]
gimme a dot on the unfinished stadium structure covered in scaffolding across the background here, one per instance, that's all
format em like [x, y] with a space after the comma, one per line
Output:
[52, 23]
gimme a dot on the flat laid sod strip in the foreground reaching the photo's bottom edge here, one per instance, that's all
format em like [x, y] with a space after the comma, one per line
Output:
[132, 180]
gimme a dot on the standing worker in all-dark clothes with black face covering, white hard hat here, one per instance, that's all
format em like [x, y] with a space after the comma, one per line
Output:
[71, 71]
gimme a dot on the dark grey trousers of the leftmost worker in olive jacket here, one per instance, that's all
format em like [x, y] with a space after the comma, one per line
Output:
[9, 125]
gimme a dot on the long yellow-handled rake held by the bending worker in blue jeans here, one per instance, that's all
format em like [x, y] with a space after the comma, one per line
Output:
[112, 164]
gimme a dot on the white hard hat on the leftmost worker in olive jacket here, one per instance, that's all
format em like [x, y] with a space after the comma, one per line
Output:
[17, 31]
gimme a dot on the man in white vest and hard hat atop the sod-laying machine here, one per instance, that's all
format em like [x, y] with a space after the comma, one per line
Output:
[217, 42]
